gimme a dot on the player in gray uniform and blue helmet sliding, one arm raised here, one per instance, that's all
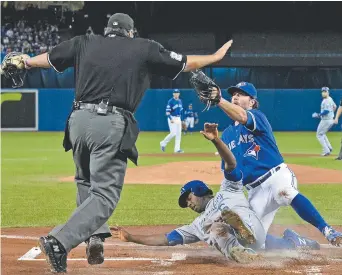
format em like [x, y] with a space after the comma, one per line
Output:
[226, 222]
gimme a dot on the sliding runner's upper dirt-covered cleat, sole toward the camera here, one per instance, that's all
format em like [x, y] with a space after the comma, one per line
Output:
[234, 220]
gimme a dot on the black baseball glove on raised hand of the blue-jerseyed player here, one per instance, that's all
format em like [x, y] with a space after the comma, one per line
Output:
[204, 87]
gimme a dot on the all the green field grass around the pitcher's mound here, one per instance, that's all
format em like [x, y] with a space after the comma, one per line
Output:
[33, 162]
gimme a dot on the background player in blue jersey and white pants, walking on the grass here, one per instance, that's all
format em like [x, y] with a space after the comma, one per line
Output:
[174, 110]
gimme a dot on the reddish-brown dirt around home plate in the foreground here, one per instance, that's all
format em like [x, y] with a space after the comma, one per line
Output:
[125, 258]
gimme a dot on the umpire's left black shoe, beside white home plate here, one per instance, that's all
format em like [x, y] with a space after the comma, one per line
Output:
[55, 253]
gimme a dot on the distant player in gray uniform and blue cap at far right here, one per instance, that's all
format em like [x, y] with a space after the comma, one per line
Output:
[326, 115]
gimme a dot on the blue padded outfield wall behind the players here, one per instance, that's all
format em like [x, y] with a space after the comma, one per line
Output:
[287, 110]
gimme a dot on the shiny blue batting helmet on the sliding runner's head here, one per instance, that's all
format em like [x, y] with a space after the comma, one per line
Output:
[199, 188]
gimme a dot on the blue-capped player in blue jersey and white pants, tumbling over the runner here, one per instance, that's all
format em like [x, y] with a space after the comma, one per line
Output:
[269, 181]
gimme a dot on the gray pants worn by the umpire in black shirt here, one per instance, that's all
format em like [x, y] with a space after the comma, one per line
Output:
[99, 175]
